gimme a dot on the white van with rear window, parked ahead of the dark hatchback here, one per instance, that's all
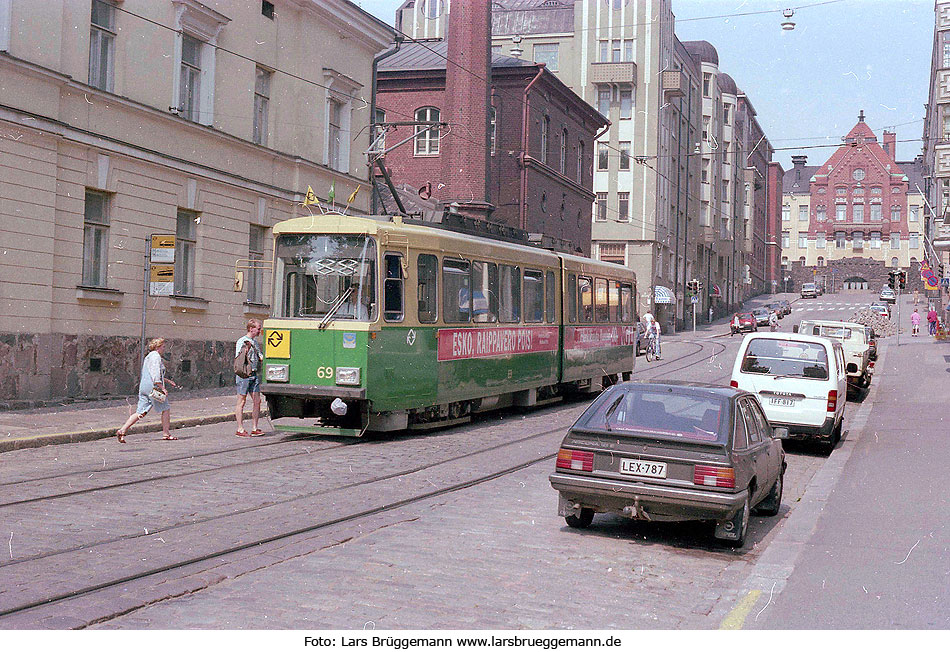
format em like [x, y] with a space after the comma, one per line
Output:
[800, 381]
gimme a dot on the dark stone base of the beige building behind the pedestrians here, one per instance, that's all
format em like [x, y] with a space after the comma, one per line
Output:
[37, 368]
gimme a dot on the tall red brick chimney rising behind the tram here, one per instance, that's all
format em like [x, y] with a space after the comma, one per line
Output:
[467, 96]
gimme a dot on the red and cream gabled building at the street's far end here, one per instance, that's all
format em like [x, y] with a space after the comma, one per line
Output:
[849, 221]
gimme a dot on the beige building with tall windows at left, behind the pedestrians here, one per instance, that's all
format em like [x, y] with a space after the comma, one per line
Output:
[120, 120]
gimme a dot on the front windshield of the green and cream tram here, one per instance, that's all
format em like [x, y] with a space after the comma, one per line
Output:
[329, 275]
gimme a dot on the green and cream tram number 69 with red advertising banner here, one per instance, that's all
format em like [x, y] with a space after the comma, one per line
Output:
[380, 324]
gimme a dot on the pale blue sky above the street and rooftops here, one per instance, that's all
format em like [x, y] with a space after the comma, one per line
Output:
[809, 84]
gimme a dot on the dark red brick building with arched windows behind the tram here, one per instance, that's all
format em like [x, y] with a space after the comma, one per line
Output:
[540, 137]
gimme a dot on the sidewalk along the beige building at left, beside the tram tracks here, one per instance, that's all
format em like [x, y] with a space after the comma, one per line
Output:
[100, 419]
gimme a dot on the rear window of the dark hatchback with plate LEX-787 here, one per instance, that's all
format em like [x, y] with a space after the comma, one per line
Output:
[658, 413]
